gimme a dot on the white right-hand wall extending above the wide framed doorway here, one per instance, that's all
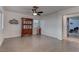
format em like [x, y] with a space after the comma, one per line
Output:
[52, 24]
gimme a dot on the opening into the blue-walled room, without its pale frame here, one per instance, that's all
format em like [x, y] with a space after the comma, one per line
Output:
[73, 28]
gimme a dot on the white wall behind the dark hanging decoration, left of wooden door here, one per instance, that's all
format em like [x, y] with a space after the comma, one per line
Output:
[13, 30]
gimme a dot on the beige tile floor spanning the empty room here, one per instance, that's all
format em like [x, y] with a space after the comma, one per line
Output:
[38, 44]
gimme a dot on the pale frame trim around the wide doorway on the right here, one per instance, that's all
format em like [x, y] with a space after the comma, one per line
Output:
[64, 24]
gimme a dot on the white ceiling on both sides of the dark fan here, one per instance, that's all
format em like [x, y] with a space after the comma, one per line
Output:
[28, 9]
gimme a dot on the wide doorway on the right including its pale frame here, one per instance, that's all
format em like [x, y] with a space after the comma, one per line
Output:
[71, 27]
